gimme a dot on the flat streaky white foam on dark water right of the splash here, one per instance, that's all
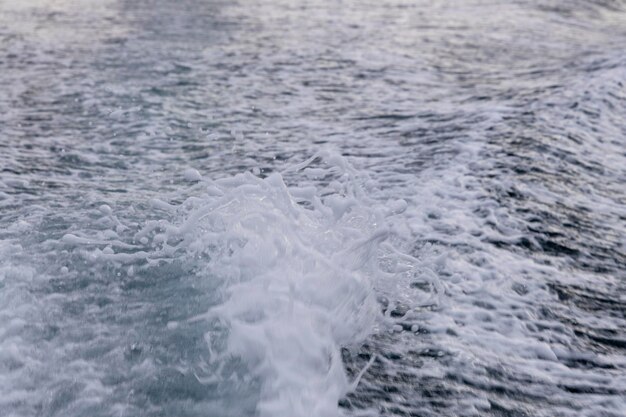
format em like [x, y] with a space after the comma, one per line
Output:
[495, 309]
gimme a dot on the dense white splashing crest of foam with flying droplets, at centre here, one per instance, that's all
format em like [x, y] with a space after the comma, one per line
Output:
[297, 267]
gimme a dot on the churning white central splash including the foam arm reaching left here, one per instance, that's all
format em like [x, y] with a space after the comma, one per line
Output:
[295, 267]
